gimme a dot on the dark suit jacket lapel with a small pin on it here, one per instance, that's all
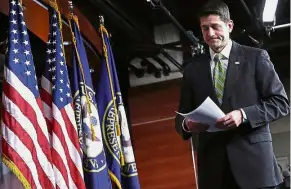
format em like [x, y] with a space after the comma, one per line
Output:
[235, 62]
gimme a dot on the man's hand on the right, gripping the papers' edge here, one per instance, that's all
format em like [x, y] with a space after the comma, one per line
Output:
[231, 120]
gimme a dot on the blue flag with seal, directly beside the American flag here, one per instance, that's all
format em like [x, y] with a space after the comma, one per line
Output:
[86, 114]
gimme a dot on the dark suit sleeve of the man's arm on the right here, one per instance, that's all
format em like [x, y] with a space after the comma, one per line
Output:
[274, 102]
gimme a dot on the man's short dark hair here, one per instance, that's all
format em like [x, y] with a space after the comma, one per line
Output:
[216, 7]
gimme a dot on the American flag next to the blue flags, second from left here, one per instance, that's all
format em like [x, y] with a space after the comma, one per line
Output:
[58, 111]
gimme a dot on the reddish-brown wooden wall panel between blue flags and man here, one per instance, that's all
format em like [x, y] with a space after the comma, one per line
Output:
[164, 160]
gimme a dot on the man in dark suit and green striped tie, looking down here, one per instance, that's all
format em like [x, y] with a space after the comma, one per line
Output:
[242, 81]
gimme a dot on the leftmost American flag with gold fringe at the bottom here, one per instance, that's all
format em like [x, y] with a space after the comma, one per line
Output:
[25, 139]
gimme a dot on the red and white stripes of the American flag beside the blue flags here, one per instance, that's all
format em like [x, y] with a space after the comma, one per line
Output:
[66, 150]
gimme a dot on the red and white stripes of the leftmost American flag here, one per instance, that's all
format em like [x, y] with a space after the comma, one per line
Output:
[24, 131]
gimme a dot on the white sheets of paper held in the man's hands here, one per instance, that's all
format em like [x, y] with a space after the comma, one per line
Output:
[208, 112]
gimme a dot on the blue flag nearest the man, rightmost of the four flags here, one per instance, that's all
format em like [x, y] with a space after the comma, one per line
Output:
[114, 125]
